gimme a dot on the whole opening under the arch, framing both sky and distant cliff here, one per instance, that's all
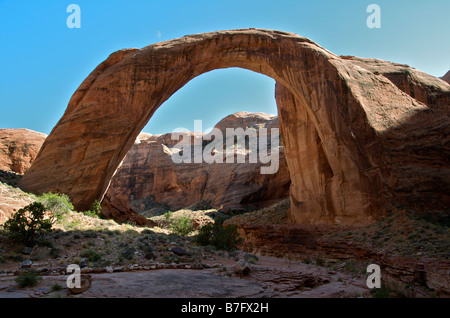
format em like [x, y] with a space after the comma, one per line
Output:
[149, 181]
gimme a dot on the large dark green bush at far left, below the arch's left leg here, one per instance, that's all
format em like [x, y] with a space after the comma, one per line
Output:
[26, 223]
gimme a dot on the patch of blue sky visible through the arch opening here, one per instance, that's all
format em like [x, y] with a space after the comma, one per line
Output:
[212, 96]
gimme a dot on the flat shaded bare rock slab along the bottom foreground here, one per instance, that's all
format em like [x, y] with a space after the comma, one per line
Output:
[269, 277]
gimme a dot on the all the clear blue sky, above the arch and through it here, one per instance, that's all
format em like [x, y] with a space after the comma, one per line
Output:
[42, 61]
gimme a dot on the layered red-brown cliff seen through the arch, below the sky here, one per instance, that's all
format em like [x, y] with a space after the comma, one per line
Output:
[148, 172]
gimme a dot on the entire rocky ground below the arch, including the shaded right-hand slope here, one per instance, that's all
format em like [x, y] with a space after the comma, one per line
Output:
[156, 262]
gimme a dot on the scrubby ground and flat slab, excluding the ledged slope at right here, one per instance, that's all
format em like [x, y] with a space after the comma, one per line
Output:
[155, 262]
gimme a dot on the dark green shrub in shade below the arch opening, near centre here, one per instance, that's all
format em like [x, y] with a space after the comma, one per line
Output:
[218, 235]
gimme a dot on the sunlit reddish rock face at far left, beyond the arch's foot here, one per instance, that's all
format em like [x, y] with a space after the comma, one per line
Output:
[19, 148]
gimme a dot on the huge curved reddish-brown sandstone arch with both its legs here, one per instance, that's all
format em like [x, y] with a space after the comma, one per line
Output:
[334, 116]
